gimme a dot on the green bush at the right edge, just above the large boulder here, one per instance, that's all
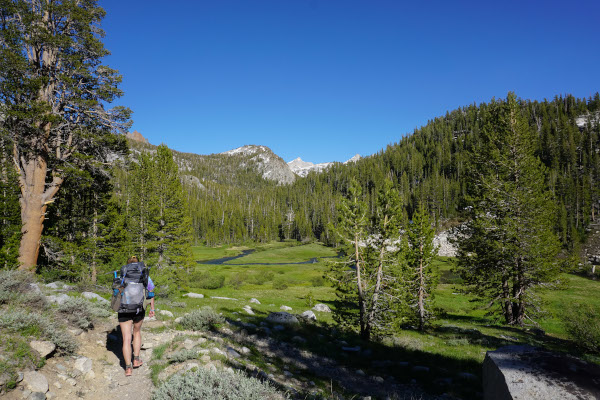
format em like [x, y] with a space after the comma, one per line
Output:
[583, 324]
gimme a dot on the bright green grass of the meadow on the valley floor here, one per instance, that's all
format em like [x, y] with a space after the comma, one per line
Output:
[457, 339]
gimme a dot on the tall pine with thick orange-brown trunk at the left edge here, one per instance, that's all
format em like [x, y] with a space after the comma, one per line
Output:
[53, 89]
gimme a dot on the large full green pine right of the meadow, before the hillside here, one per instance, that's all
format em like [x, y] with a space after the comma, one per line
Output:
[508, 246]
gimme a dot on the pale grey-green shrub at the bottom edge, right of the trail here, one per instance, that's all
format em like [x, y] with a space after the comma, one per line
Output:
[207, 384]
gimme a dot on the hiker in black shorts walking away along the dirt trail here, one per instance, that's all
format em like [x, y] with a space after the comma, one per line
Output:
[131, 314]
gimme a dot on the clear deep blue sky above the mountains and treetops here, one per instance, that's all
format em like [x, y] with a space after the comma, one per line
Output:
[326, 79]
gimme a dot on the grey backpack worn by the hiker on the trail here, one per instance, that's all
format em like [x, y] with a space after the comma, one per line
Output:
[134, 279]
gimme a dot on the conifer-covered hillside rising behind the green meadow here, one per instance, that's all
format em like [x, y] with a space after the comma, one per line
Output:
[427, 166]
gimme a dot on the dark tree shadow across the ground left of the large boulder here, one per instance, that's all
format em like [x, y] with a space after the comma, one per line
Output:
[327, 355]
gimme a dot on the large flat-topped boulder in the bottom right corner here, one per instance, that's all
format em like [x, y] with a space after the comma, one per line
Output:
[525, 372]
